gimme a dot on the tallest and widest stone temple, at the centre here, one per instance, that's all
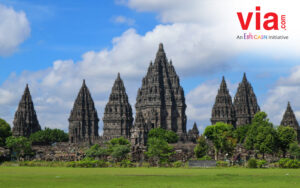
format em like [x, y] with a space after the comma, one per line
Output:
[161, 99]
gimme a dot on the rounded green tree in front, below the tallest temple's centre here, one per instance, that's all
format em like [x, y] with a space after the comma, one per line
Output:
[158, 150]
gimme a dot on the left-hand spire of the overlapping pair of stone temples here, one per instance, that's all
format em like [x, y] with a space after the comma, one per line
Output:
[223, 110]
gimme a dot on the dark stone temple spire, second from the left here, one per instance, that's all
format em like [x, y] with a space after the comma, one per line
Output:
[83, 121]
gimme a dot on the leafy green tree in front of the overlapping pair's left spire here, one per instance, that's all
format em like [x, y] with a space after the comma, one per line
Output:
[221, 134]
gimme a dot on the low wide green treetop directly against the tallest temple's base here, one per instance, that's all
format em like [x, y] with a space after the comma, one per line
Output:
[168, 136]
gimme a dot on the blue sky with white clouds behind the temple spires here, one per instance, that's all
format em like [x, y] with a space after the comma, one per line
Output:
[72, 40]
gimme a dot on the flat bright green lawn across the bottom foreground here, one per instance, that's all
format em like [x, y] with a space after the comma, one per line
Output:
[147, 177]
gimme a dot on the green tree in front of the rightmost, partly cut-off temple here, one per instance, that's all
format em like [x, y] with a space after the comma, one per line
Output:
[286, 136]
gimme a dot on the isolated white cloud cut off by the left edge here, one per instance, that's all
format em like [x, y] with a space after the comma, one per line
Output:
[14, 29]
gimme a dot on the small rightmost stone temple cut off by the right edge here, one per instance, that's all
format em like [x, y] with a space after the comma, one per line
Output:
[289, 119]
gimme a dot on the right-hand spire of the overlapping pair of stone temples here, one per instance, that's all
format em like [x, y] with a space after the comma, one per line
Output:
[245, 103]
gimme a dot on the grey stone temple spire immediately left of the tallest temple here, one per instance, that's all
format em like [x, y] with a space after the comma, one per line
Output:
[117, 117]
